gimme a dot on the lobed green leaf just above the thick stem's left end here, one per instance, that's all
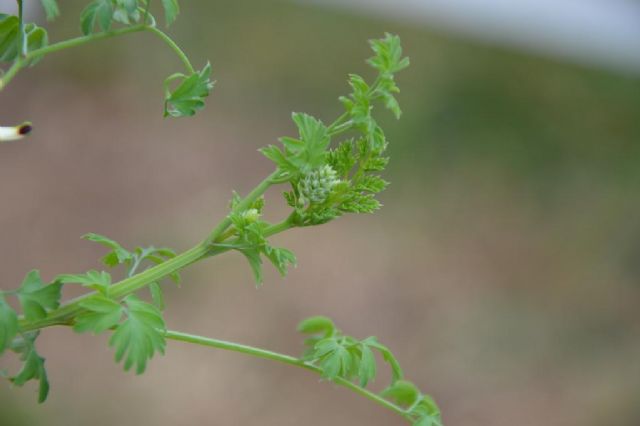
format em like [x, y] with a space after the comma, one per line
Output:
[36, 298]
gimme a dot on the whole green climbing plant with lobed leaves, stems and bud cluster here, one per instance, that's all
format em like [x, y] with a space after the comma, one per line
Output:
[324, 181]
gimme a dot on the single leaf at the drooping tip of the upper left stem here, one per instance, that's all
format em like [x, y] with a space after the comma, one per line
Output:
[188, 97]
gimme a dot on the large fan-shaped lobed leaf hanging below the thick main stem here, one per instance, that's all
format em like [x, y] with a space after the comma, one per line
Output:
[140, 336]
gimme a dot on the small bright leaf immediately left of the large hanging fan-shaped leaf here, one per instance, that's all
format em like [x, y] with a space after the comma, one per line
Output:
[103, 314]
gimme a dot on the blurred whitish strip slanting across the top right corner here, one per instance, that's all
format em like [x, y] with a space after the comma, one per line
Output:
[593, 32]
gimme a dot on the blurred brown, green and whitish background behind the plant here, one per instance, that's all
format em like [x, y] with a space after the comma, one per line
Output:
[503, 270]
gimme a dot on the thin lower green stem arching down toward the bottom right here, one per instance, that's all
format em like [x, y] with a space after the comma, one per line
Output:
[285, 359]
